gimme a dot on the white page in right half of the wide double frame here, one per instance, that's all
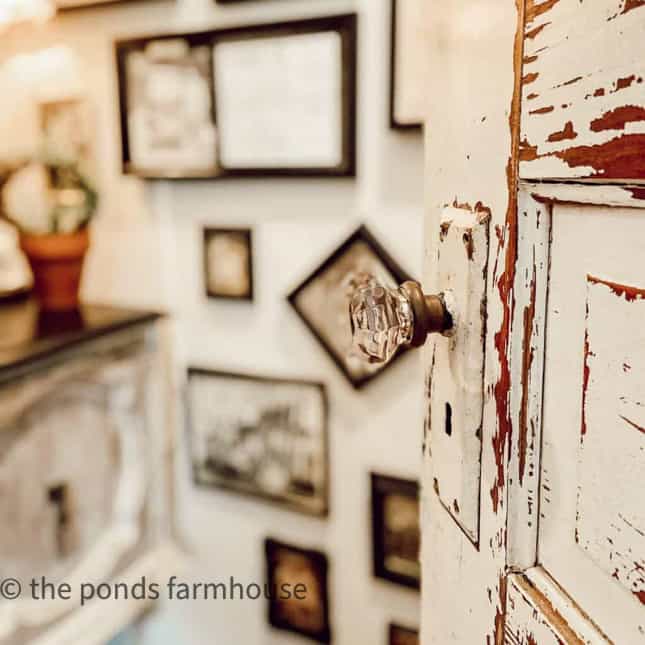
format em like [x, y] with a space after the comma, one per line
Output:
[279, 101]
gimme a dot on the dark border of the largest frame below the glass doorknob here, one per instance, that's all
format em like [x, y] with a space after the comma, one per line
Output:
[202, 476]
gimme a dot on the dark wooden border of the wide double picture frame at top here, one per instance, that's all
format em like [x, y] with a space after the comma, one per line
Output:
[344, 24]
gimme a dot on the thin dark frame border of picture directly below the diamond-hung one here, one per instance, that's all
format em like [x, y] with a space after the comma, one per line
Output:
[261, 495]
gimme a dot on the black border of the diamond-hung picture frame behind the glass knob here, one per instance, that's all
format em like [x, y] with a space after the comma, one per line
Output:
[361, 234]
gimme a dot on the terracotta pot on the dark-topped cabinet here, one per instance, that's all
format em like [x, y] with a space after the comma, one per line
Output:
[56, 261]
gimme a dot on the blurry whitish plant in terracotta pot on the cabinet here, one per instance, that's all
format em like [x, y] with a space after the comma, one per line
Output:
[51, 202]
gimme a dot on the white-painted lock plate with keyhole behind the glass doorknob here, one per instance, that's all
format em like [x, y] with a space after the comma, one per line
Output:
[457, 378]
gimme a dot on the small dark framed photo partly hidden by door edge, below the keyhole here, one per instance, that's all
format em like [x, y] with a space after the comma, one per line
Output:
[396, 530]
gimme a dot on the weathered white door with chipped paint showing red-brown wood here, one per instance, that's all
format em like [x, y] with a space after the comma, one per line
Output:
[534, 490]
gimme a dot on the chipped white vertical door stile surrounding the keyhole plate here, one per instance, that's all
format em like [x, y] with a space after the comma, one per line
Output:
[469, 149]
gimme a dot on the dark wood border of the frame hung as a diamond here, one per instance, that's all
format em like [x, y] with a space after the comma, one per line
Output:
[362, 233]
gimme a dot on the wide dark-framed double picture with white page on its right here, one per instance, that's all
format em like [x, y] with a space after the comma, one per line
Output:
[247, 128]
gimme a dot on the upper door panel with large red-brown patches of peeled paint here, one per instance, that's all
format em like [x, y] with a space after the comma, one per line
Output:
[583, 108]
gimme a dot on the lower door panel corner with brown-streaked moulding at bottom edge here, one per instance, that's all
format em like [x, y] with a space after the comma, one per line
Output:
[538, 613]
